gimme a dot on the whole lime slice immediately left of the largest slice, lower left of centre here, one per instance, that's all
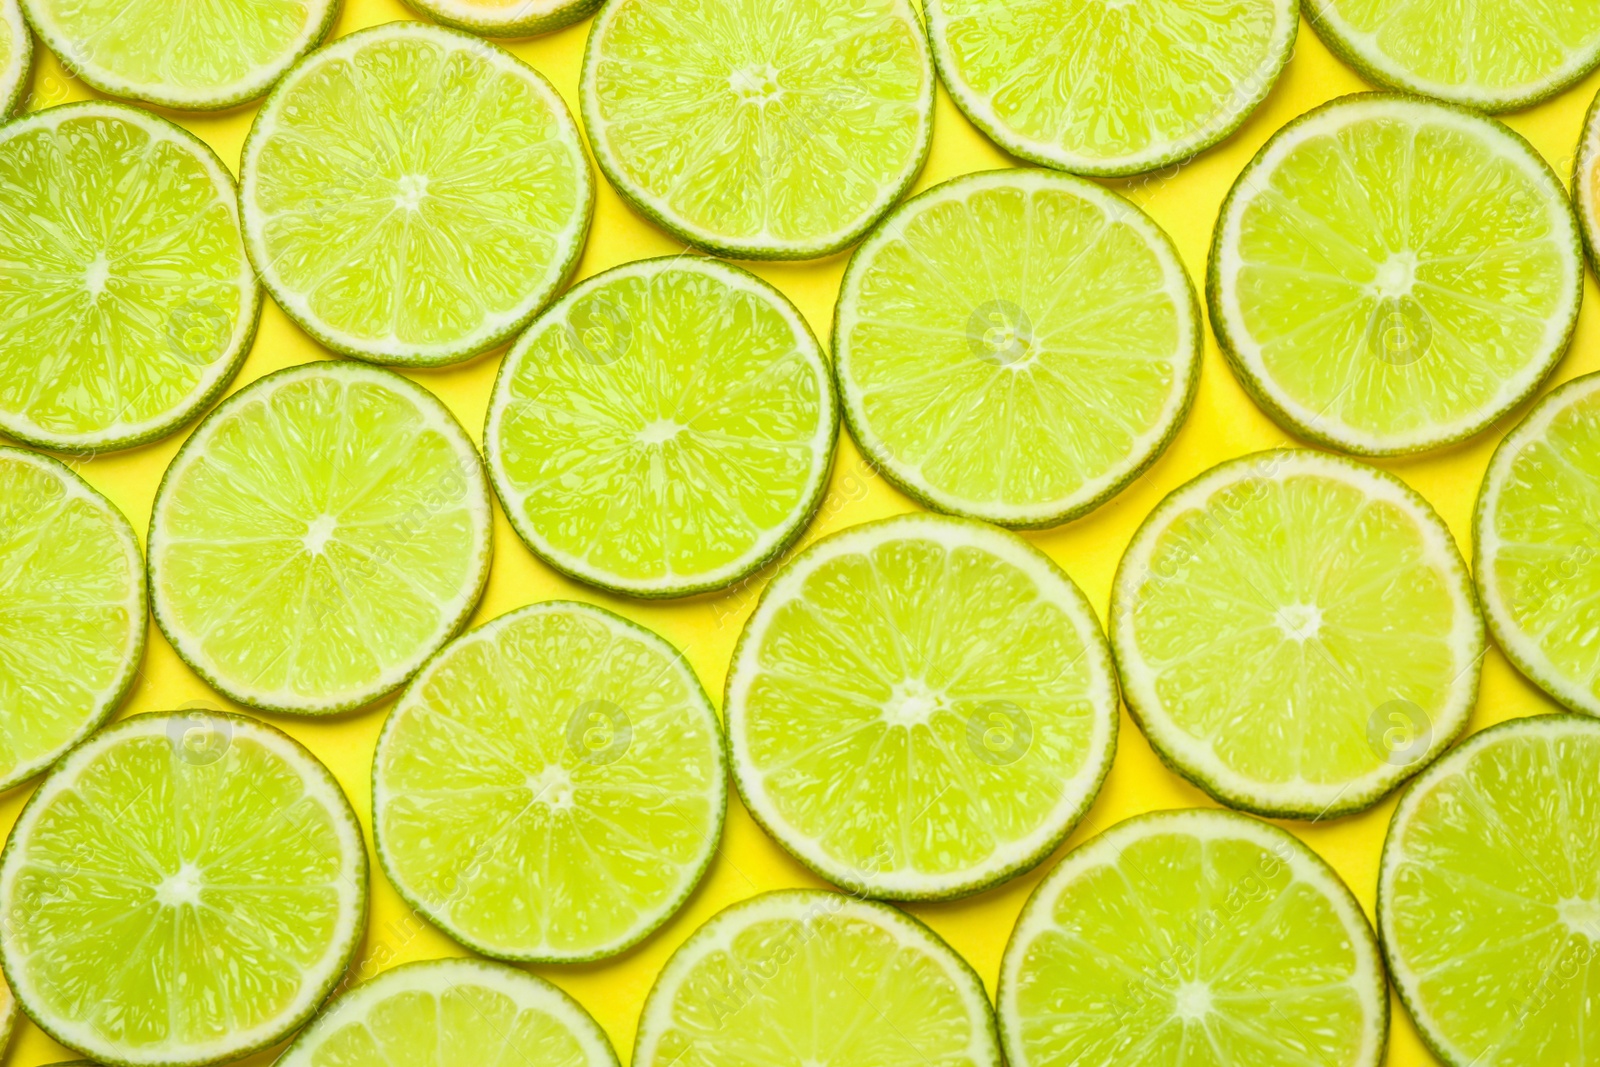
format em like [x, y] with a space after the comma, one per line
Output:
[551, 788]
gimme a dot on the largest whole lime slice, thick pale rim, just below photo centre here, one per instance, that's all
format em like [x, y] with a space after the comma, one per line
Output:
[921, 708]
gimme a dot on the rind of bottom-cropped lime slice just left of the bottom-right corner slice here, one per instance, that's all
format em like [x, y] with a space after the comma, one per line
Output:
[1215, 825]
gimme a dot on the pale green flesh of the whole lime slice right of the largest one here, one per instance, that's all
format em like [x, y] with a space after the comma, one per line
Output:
[1282, 615]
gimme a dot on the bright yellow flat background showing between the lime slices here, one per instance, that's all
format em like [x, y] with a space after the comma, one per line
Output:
[1225, 423]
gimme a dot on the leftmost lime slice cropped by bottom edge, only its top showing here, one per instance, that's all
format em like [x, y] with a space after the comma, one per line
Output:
[452, 1013]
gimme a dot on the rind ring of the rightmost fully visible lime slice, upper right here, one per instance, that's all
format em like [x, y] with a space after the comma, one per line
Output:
[1311, 426]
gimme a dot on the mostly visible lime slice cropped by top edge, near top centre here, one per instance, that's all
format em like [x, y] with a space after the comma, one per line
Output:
[754, 129]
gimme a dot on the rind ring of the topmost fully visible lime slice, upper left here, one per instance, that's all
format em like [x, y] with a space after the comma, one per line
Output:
[422, 356]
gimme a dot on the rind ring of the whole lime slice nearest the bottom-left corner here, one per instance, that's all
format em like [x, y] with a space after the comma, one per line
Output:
[345, 945]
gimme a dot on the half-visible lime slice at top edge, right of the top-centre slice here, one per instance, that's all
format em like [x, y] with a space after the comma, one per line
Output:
[1110, 89]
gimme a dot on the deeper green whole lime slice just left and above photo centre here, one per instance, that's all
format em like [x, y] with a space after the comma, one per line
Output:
[668, 428]
